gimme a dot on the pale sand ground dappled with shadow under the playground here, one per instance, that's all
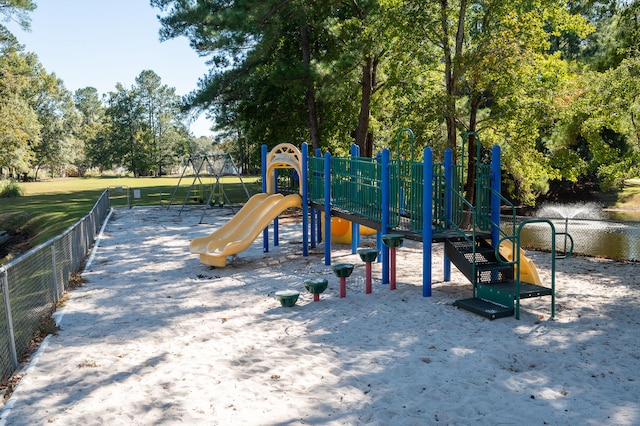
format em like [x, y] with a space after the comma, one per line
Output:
[154, 337]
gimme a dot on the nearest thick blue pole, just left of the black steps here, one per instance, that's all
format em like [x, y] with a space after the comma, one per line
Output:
[427, 219]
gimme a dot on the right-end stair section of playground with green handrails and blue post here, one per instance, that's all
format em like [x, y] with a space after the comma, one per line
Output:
[475, 251]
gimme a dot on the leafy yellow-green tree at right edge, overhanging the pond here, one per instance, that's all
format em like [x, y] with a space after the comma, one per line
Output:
[596, 136]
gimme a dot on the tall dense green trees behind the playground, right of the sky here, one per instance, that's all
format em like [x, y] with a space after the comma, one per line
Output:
[339, 72]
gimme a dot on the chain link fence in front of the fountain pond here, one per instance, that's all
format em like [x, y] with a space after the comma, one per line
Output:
[619, 240]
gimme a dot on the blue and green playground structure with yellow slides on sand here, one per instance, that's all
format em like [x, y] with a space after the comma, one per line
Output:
[422, 201]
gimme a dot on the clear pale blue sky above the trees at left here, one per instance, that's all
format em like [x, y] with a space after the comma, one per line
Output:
[99, 43]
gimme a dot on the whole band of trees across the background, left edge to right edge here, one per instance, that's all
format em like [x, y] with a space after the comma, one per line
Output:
[554, 83]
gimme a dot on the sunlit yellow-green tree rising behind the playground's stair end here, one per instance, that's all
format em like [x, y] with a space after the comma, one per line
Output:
[495, 56]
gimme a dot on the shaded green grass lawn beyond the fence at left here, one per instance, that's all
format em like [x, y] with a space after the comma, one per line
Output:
[49, 207]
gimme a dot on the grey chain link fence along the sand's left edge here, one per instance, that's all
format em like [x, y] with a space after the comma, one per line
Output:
[32, 284]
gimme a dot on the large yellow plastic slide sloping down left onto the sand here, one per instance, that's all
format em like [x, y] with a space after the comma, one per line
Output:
[238, 234]
